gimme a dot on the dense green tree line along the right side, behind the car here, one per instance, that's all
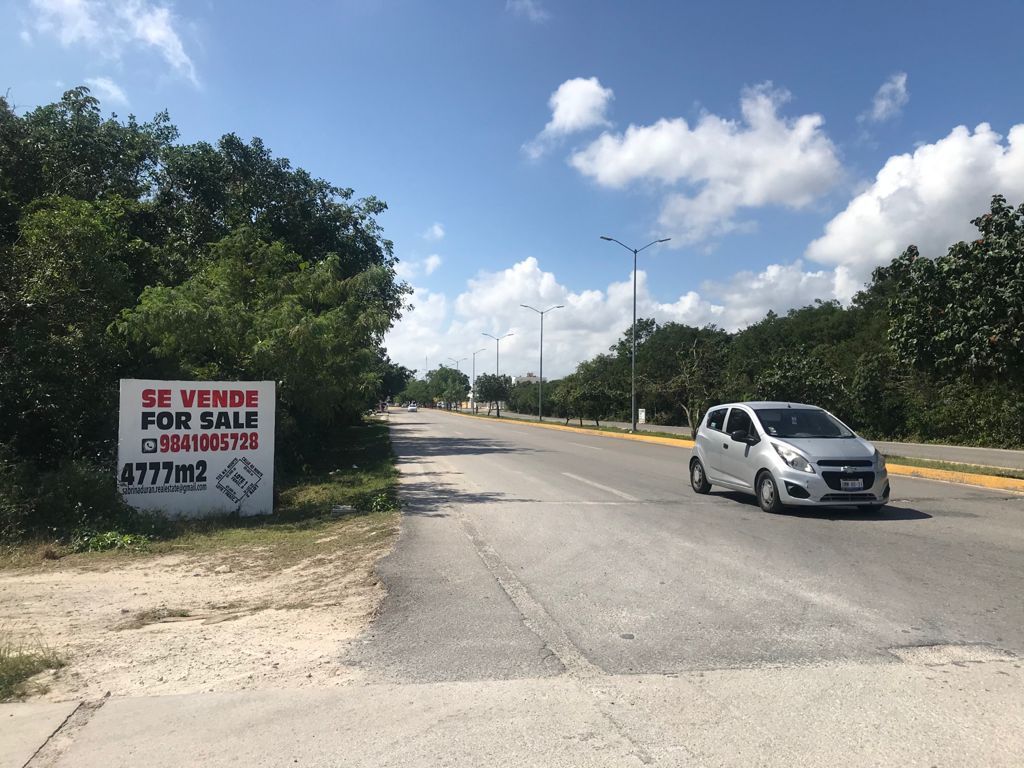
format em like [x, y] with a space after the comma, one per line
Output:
[932, 350]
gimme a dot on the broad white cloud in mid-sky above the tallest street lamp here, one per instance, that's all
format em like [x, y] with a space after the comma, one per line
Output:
[723, 165]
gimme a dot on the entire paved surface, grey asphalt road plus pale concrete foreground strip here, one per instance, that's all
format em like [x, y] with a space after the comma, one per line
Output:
[562, 600]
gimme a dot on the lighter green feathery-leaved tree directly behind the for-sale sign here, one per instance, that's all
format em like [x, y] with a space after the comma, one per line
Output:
[259, 311]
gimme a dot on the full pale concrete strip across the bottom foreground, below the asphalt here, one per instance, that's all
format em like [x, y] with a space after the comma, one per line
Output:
[966, 713]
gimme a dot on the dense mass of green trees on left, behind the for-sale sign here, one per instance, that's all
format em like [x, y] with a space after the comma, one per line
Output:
[126, 255]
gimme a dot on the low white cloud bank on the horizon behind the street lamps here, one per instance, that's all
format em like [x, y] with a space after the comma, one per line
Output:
[591, 322]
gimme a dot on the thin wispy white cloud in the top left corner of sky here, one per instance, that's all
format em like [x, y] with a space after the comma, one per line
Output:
[111, 26]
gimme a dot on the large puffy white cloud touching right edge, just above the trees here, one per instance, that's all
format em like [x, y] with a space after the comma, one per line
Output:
[927, 199]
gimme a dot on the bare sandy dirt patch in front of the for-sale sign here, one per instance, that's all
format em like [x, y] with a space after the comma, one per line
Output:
[255, 620]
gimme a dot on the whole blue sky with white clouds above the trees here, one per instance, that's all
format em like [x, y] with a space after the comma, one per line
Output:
[786, 149]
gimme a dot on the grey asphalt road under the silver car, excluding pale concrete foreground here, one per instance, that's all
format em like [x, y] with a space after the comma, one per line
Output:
[528, 552]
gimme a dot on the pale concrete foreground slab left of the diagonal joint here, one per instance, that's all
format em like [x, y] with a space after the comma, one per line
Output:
[517, 723]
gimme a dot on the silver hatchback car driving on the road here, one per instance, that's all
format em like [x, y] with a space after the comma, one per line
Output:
[788, 454]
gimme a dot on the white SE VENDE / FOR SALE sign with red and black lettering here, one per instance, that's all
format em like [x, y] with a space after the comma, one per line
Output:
[191, 449]
